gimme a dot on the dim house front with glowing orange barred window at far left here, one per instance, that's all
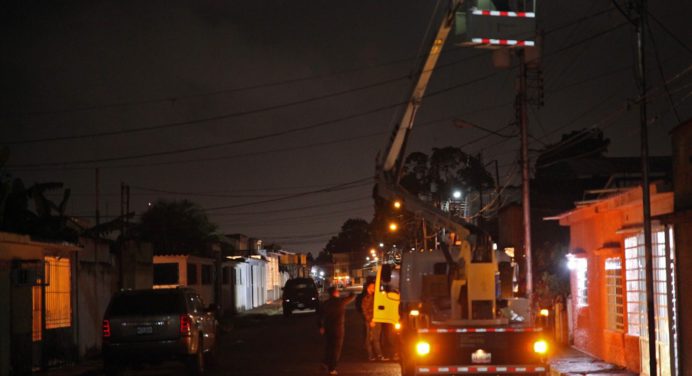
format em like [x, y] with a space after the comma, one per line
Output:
[38, 320]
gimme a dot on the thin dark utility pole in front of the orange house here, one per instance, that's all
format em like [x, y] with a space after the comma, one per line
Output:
[646, 200]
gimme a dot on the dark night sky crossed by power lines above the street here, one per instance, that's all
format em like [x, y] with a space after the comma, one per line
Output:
[234, 103]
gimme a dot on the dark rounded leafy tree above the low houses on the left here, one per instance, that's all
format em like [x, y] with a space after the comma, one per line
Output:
[176, 226]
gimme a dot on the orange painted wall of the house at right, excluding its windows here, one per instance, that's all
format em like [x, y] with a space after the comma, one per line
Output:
[594, 229]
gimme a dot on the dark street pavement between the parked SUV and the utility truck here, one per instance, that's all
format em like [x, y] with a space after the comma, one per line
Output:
[267, 343]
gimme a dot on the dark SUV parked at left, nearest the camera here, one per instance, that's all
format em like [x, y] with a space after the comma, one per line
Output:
[148, 326]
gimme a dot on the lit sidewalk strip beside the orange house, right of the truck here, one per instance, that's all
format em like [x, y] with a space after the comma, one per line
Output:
[569, 361]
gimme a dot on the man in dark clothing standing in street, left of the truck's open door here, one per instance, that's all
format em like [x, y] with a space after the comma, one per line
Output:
[332, 318]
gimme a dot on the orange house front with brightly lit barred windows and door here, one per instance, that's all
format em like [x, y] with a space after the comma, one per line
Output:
[608, 283]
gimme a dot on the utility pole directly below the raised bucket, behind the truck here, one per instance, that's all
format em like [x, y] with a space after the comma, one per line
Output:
[521, 110]
